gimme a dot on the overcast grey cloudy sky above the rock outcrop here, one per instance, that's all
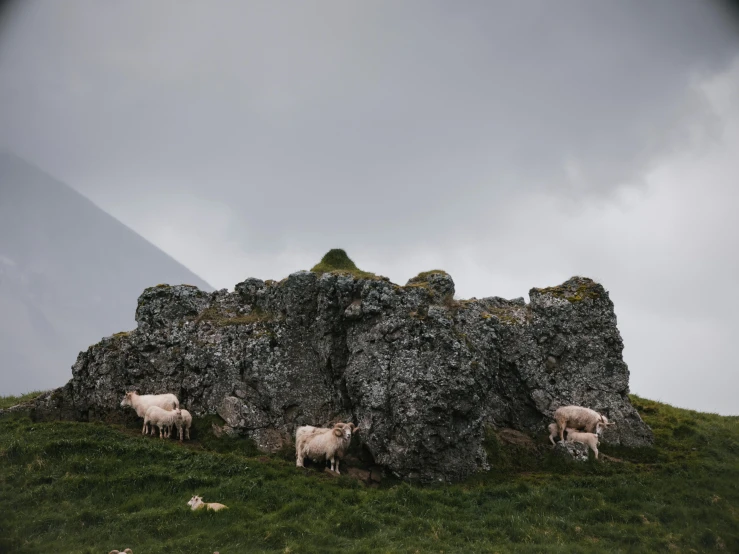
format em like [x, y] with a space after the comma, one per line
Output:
[514, 144]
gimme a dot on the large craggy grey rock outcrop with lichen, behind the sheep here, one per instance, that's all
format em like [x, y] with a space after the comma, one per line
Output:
[418, 371]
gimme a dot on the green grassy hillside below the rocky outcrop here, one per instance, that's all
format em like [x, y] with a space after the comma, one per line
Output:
[75, 487]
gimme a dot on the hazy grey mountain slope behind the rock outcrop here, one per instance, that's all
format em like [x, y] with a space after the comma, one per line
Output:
[69, 275]
